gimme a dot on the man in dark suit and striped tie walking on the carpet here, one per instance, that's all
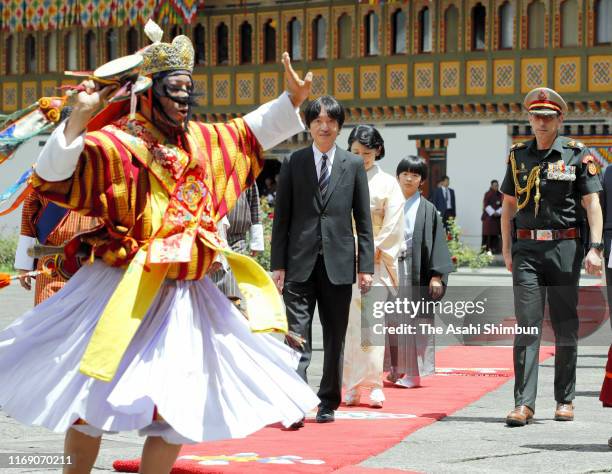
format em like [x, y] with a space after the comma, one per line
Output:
[321, 190]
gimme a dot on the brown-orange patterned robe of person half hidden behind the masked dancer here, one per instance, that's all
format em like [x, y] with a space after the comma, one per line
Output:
[45, 223]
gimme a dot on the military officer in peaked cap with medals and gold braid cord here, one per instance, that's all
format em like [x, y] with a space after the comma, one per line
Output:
[551, 183]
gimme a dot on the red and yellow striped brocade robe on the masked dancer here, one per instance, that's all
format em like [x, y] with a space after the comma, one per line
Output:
[118, 180]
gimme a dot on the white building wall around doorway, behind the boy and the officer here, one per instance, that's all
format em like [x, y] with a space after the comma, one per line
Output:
[475, 157]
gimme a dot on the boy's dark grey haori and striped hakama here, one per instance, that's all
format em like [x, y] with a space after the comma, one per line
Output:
[427, 256]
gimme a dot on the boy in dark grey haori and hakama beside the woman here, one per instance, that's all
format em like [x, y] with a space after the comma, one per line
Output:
[424, 265]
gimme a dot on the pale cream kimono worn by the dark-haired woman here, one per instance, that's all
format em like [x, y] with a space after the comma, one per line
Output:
[363, 363]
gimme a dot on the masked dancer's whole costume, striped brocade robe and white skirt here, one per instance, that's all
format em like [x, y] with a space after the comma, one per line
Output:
[192, 351]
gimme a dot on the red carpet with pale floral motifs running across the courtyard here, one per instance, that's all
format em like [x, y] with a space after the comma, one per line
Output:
[464, 375]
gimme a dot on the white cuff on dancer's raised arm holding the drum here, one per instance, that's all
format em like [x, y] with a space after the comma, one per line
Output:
[57, 161]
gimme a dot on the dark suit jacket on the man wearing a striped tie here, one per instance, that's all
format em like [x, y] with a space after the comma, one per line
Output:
[304, 223]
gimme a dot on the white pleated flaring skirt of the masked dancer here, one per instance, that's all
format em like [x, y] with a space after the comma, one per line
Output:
[193, 358]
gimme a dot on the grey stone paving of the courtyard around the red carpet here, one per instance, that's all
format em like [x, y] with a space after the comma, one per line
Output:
[473, 439]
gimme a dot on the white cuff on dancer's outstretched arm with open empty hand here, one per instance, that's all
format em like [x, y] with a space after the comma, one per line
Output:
[275, 121]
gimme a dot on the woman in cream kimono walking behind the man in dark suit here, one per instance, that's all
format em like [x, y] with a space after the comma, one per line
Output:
[363, 362]
